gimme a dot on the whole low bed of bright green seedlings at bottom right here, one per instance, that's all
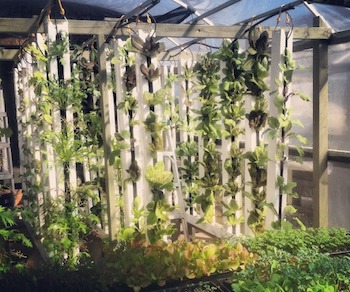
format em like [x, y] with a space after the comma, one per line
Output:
[297, 260]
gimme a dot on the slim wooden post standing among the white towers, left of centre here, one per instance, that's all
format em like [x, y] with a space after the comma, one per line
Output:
[107, 120]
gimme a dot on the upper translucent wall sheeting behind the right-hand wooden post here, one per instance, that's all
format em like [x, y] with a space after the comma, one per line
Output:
[339, 95]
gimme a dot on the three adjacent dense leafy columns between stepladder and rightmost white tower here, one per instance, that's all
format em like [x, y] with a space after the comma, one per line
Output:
[224, 103]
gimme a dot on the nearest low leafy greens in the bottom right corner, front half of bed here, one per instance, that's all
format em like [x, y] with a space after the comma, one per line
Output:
[306, 271]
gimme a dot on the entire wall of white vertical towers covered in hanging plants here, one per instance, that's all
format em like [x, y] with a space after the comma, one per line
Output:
[122, 139]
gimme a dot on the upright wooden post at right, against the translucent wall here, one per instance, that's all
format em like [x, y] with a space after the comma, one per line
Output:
[320, 130]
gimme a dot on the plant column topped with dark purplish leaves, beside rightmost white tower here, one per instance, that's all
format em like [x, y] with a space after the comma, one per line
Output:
[257, 65]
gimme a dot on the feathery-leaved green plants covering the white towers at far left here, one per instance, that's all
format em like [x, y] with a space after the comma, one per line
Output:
[67, 218]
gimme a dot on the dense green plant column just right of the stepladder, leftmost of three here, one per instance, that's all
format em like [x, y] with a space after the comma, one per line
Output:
[208, 118]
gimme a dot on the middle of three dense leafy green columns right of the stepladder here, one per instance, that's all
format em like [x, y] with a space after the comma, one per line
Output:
[232, 90]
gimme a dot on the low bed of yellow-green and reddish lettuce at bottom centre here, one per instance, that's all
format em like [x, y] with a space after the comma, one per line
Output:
[139, 264]
